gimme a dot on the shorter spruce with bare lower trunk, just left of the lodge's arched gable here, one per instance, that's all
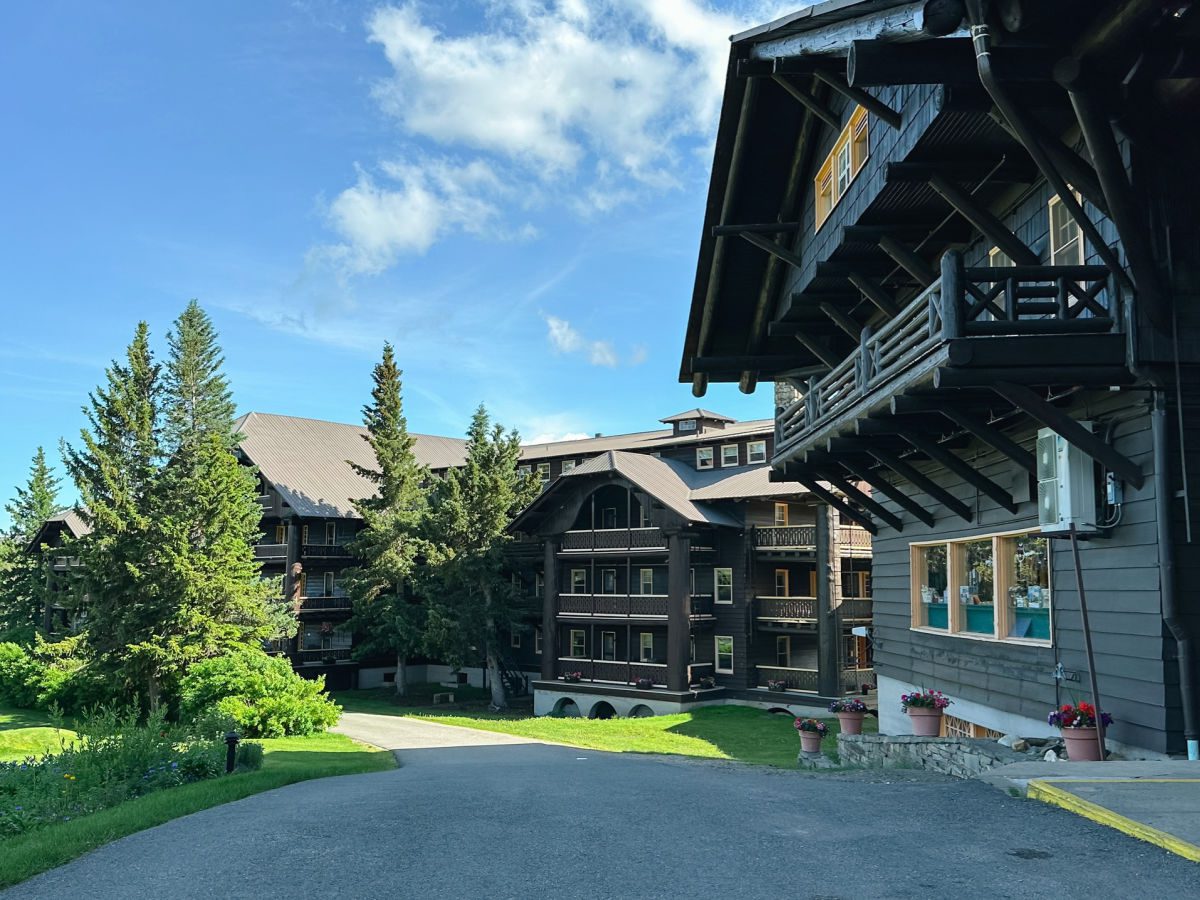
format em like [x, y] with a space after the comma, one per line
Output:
[475, 598]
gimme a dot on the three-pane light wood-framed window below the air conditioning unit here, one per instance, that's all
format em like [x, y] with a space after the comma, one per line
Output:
[994, 587]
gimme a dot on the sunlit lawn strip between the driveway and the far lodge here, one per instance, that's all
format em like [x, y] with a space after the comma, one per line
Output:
[713, 733]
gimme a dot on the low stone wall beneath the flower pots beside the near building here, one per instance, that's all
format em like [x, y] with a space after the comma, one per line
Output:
[962, 758]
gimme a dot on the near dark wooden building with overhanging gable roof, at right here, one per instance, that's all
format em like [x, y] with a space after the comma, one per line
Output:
[963, 239]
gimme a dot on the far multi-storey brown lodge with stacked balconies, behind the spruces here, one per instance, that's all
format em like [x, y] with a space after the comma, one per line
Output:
[680, 561]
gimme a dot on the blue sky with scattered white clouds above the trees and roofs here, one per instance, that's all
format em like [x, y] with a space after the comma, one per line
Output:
[511, 191]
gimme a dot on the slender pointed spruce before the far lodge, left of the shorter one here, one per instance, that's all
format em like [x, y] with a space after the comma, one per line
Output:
[392, 545]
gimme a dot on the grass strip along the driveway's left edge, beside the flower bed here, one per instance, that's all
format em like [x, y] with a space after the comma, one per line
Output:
[287, 761]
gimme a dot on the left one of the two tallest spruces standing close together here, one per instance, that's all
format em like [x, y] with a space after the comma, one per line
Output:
[116, 470]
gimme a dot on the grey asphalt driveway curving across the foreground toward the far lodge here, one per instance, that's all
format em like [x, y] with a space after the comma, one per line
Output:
[471, 817]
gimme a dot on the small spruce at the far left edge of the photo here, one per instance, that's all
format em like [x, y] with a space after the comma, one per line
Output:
[25, 593]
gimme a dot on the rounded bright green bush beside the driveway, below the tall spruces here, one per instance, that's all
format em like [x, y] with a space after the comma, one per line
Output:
[261, 694]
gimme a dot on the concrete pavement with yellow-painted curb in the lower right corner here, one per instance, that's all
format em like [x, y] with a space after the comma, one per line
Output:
[1154, 801]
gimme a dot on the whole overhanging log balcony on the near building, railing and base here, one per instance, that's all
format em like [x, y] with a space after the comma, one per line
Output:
[970, 328]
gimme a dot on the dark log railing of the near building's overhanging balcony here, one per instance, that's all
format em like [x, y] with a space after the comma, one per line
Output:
[1024, 301]
